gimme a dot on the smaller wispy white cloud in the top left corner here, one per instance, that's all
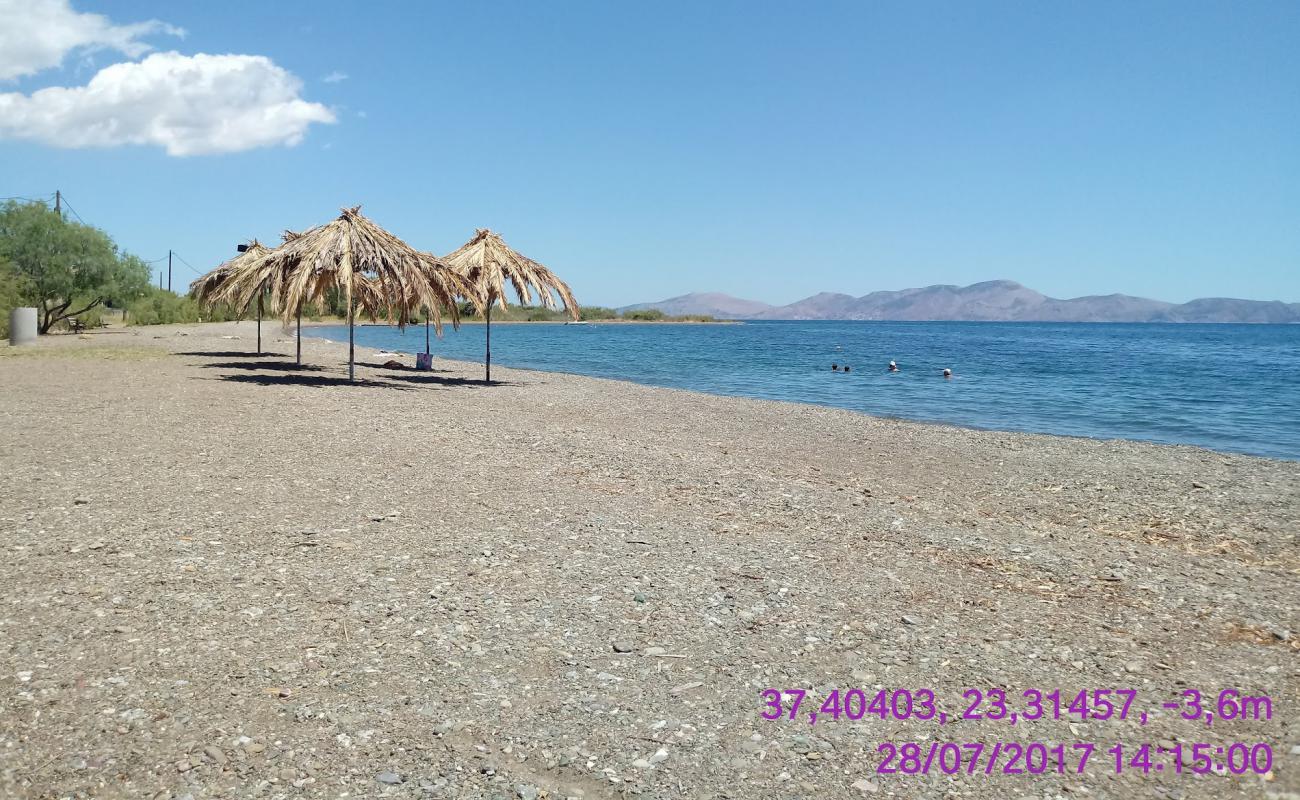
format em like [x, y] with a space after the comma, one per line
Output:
[38, 34]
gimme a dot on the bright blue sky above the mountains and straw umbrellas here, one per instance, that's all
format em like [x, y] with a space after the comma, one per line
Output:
[765, 150]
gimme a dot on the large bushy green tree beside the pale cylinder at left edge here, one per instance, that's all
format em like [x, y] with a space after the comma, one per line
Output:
[66, 269]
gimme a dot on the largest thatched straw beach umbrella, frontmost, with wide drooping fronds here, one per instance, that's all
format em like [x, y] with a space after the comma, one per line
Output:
[346, 254]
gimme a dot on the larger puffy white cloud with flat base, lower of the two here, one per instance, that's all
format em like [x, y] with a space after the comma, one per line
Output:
[188, 105]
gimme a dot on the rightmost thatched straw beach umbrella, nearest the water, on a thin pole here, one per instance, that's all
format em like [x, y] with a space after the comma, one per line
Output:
[488, 263]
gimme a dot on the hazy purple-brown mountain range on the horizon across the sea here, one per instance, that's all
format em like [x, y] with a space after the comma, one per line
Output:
[991, 301]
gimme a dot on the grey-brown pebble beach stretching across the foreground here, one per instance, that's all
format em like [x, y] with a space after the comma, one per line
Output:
[453, 565]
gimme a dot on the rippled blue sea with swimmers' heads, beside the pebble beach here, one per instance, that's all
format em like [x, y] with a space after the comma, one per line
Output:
[1224, 387]
